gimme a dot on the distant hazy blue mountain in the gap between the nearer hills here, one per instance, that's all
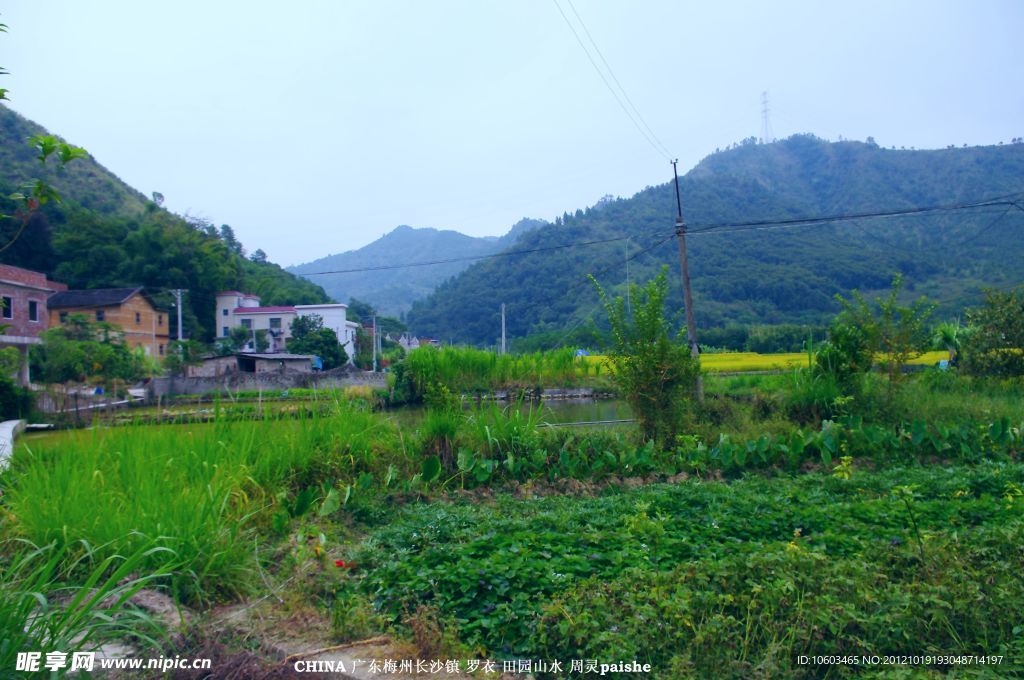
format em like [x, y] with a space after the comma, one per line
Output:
[391, 290]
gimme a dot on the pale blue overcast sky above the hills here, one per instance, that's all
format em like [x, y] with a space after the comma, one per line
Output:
[316, 127]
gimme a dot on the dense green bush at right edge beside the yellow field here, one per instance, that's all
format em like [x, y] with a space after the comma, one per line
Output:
[997, 346]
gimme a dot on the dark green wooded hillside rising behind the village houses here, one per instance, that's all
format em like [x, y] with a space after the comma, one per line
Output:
[105, 234]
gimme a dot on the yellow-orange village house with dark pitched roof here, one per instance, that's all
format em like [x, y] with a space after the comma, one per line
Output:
[130, 310]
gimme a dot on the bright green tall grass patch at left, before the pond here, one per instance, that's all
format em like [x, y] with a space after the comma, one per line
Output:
[198, 490]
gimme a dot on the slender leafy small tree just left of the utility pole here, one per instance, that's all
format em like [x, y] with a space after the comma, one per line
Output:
[650, 363]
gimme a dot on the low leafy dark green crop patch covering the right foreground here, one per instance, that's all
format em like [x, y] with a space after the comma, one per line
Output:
[590, 578]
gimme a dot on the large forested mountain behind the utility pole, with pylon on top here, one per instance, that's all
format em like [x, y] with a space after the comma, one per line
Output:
[761, 276]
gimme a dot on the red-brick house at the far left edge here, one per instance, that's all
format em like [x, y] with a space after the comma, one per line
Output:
[25, 295]
